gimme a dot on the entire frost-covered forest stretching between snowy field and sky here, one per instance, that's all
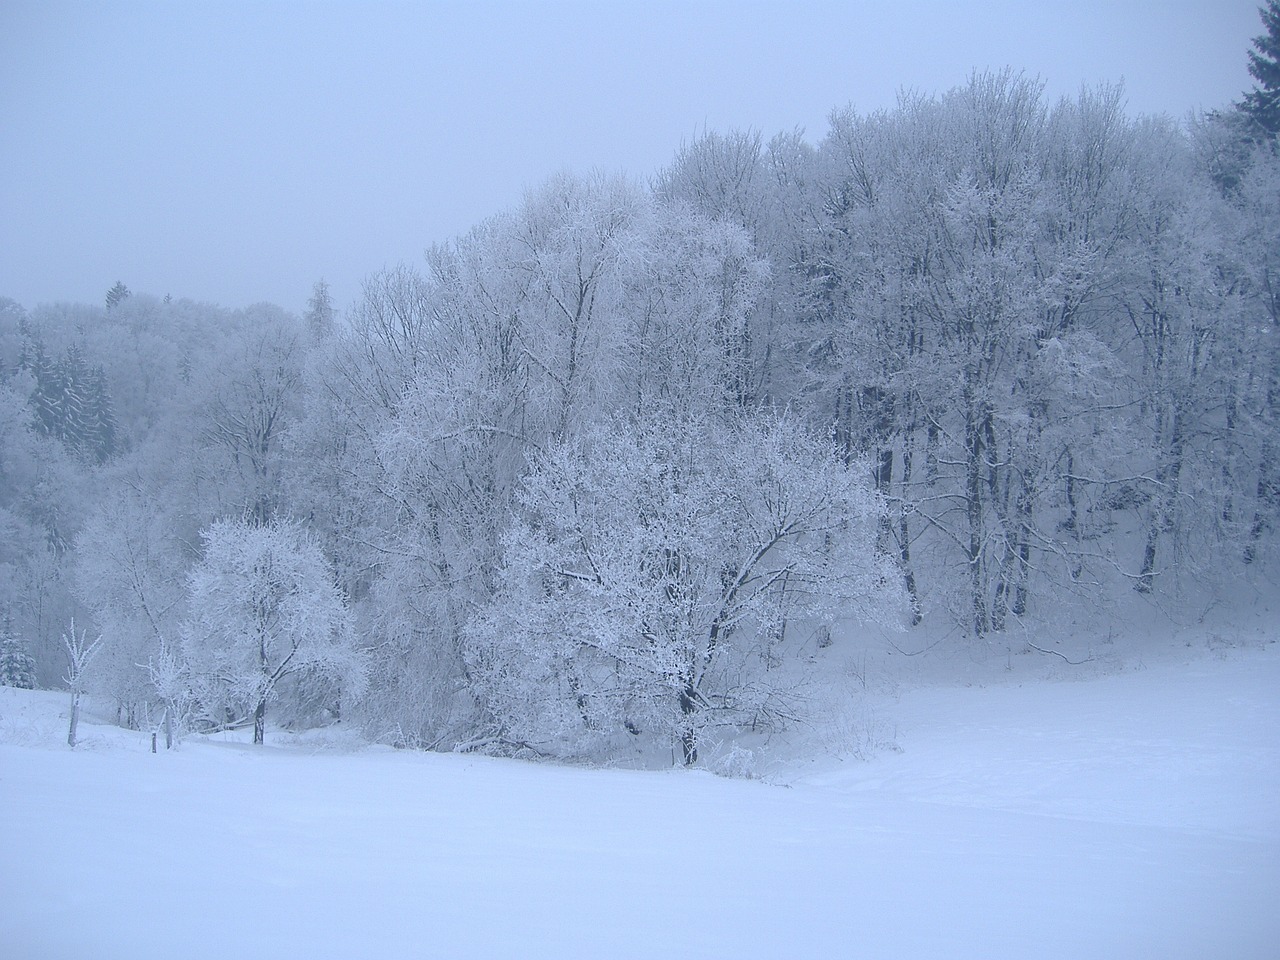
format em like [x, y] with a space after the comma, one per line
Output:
[620, 464]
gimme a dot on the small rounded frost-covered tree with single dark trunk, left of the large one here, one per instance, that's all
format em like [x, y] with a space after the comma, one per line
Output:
[266, 609]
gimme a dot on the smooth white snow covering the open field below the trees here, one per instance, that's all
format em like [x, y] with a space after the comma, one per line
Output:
[1124, 816]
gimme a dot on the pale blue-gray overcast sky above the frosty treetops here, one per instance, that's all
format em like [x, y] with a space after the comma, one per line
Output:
[239, 152]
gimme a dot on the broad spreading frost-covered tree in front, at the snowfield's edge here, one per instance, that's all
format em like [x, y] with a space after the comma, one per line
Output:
[655, 570]
